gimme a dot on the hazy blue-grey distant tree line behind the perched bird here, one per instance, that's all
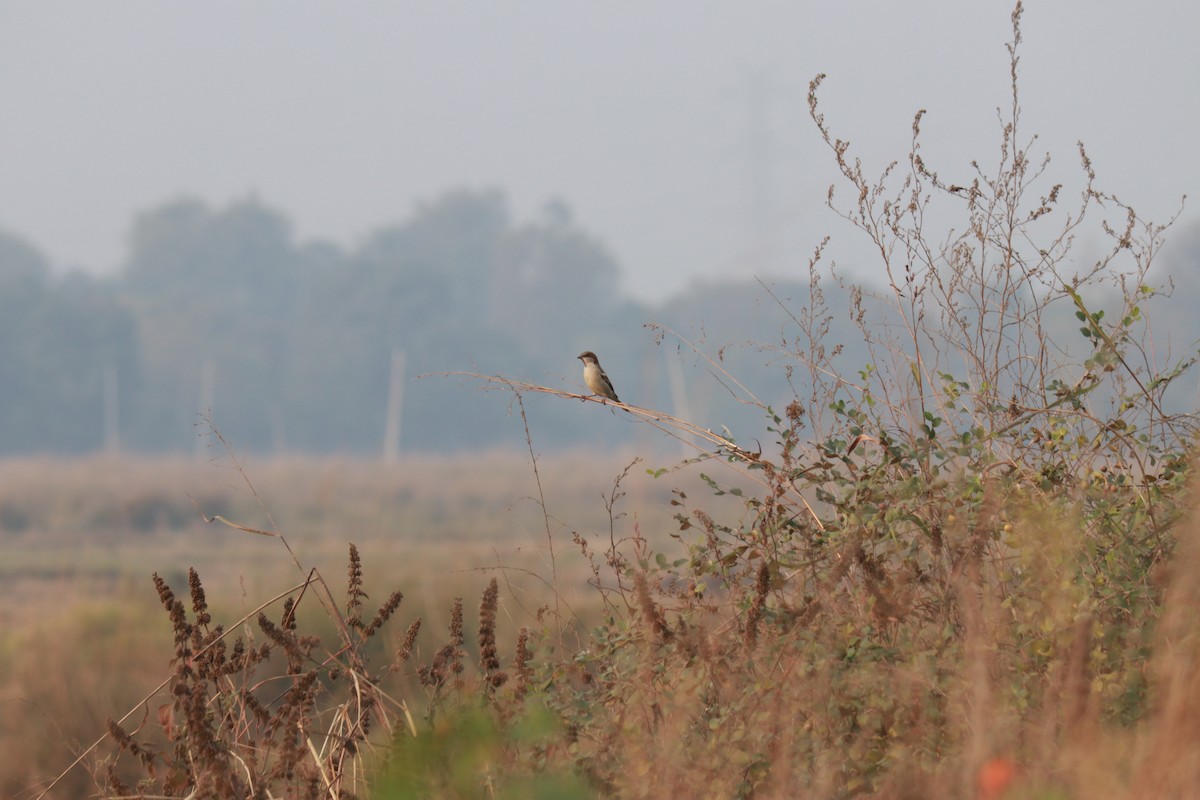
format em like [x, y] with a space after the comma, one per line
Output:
[290, 345]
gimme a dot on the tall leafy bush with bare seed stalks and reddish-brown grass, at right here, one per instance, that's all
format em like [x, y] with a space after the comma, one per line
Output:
[955, 554]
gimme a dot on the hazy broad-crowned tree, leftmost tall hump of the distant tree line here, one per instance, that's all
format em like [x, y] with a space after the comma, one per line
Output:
[215, 288]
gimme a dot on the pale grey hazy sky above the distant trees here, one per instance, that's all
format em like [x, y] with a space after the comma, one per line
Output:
[676, 131]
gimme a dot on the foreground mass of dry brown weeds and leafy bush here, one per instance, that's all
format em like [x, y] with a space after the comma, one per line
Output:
[968, 572]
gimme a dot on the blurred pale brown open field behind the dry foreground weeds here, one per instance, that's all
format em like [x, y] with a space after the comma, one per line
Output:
[85, 636]
